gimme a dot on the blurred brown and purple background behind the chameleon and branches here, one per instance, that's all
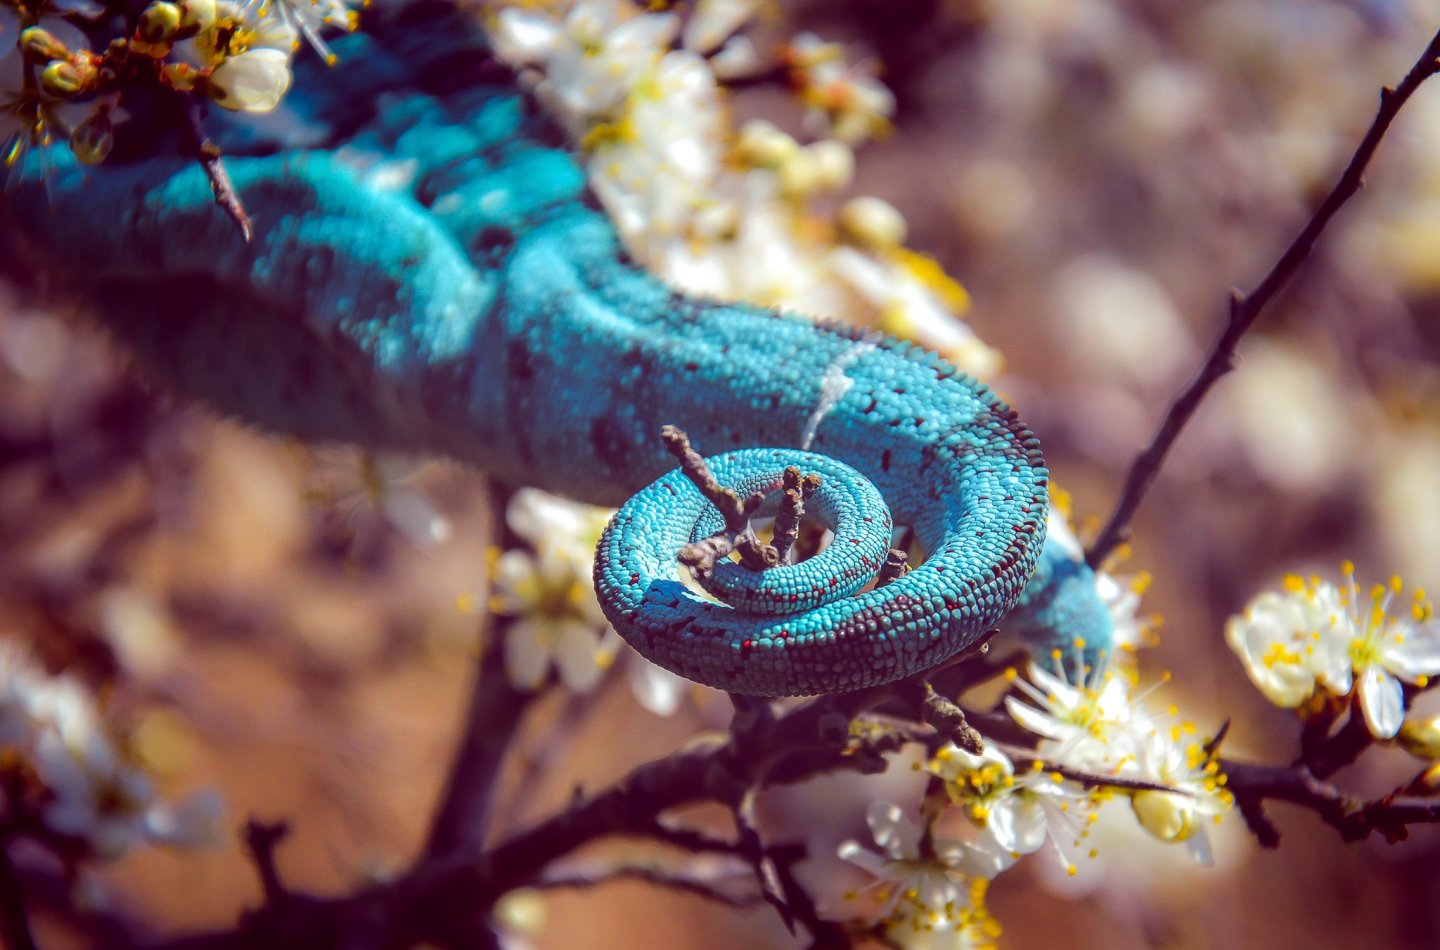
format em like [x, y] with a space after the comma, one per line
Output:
[1098, 175]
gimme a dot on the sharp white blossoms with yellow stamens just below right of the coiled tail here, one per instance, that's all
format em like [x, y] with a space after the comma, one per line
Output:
[1088, 723]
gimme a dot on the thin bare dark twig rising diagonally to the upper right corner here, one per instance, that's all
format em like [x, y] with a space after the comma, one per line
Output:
[1246, 309]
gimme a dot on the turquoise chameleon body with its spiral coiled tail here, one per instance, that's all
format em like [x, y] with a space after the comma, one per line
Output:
[428, 273]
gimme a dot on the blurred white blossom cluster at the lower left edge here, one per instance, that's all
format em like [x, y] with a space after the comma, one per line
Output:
[67, 777]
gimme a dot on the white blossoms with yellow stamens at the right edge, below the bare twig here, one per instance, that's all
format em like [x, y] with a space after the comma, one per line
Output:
[1317, 641]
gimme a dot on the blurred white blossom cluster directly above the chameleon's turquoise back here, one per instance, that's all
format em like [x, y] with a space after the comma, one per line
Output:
[735, 214]
